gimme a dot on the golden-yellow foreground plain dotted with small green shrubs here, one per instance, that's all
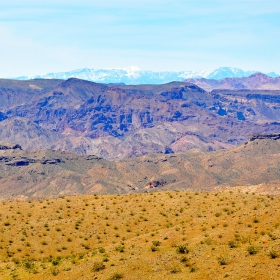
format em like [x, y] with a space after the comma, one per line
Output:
[159, 235]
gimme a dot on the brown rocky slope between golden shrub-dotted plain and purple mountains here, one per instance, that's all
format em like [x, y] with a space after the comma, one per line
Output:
[50, 173]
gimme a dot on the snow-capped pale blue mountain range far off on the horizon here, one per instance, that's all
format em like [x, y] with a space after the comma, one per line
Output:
[134, 75]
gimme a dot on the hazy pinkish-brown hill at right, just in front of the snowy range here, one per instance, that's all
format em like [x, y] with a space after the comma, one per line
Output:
[257, 81]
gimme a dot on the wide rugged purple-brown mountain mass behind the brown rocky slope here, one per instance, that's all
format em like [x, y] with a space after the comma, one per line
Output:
[118, 121]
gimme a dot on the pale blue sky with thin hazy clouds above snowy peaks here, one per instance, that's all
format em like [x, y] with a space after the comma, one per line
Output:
[38, 37]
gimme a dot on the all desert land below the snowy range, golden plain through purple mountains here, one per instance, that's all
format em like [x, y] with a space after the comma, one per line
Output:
[112, 181]
